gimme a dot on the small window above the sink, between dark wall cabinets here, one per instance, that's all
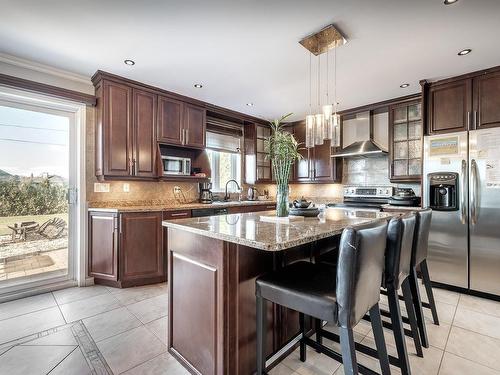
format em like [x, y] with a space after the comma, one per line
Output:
[225, 160]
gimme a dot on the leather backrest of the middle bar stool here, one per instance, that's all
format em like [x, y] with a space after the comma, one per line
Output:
[399, 249]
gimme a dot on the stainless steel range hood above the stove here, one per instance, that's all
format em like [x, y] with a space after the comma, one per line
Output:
[359, 132]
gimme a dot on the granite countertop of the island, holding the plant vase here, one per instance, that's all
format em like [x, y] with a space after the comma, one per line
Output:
[247, 229]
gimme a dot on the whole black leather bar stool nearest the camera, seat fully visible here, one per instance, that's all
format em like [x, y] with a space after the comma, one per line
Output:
[341, 295]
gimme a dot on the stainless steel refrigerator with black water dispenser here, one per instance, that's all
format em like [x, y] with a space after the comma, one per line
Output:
[461, 182]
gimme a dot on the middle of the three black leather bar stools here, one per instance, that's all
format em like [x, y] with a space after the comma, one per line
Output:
[397, 270]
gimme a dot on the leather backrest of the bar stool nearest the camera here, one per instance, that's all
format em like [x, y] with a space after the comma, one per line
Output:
[359, 271]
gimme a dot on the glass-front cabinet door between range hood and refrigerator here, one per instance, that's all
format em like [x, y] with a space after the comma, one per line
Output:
[405, 141]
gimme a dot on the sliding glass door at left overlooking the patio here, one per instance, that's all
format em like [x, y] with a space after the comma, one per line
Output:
[37, 179]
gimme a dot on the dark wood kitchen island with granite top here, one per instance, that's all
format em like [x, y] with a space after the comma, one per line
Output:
[212, 266]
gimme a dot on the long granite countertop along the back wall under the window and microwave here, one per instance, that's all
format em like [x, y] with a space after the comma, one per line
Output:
[174, 206]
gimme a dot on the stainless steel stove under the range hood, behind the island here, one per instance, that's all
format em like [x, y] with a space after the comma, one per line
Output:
[365, 197]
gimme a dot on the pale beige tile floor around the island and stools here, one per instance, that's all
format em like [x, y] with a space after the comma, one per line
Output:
[128, 328]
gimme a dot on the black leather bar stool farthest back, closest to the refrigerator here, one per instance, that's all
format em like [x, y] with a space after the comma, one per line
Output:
[419, 260]
